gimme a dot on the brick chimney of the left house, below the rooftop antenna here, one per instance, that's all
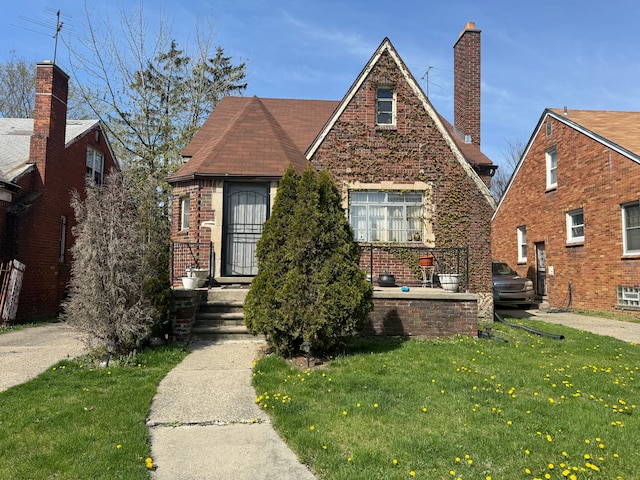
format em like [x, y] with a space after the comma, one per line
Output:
[49, 118]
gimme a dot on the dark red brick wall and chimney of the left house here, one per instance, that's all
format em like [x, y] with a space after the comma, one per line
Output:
[35, 219]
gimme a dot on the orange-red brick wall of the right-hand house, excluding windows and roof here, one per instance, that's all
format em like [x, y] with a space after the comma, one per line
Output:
[591, 176]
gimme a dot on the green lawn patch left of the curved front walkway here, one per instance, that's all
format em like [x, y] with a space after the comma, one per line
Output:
[81, 421]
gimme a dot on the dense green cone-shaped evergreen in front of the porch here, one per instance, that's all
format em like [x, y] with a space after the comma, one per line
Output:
[309, 286]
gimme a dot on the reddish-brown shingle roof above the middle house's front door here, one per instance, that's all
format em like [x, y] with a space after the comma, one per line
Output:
[254, 137]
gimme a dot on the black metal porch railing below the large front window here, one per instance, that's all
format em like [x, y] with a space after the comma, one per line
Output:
[403, 262]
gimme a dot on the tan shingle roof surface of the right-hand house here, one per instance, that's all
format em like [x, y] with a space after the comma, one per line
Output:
[621, 128]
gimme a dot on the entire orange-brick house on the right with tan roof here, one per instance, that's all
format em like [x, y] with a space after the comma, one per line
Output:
[570, 217]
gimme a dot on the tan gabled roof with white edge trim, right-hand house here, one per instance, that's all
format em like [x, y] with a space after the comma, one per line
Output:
[619, 131]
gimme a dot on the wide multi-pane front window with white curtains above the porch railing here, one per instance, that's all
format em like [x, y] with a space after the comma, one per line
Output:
[376, 220]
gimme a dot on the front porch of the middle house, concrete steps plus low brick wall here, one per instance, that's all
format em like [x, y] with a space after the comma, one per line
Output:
[216, 313]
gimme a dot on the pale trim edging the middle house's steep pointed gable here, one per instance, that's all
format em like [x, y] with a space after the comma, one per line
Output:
[387, 47]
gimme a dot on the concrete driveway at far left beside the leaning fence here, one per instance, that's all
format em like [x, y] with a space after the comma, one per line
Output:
[26, 353]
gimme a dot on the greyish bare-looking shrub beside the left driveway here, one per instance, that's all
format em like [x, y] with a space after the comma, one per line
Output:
[108, 301]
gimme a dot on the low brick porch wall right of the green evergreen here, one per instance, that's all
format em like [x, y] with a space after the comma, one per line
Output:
[423, 316]
